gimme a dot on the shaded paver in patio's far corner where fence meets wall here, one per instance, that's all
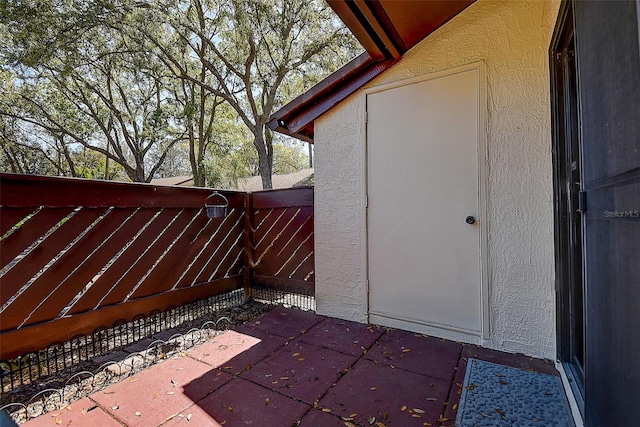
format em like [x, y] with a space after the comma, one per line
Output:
[288, 323]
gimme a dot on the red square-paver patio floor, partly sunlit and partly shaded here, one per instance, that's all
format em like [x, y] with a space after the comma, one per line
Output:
[291, 368]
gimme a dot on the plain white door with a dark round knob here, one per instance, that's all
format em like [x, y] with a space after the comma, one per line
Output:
[425, 153]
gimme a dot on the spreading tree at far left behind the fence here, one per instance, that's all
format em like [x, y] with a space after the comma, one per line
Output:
[98, 87]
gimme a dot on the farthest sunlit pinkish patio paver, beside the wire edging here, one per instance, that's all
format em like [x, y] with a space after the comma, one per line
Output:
[221, 349]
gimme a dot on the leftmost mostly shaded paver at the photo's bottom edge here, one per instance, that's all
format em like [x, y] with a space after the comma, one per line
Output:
[242, 402]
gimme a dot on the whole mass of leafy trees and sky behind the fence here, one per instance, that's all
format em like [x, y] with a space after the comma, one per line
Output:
[132, 89]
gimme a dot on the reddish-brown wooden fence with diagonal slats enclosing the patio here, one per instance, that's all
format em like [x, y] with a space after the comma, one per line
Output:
[80, 255]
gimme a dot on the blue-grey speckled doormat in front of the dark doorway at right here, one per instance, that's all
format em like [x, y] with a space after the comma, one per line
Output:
[496, 396]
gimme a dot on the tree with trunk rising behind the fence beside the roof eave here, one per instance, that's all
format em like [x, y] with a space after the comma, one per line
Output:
[253, 49]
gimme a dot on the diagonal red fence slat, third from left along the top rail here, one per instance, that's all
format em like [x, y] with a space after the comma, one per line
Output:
[35, 260]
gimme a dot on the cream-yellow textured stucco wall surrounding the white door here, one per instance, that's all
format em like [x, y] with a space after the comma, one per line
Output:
[512, 38]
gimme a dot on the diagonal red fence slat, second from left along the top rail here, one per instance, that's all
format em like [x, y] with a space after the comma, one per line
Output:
[30, 232]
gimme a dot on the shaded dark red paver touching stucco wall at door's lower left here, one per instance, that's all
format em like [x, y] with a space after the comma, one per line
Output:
[344, 336]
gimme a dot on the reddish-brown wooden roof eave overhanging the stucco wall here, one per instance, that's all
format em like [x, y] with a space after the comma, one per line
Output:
[386, 29]
